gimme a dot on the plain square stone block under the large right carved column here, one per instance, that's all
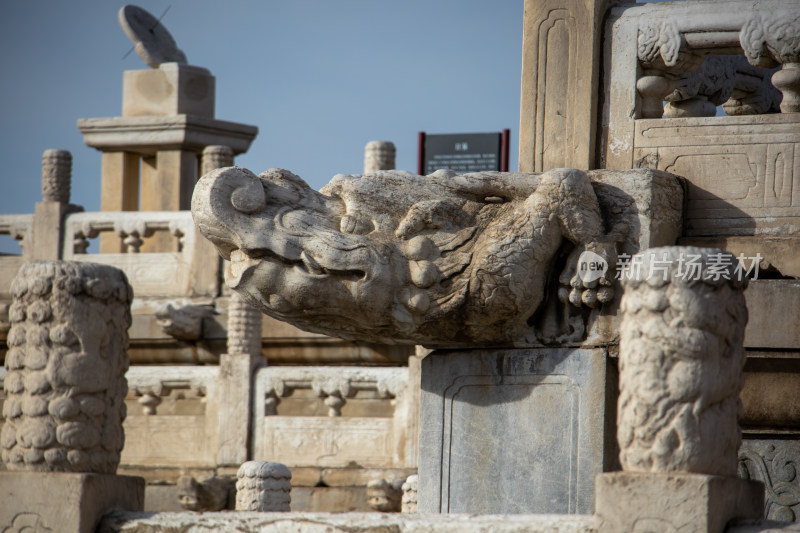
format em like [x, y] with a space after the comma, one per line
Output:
[675, 503]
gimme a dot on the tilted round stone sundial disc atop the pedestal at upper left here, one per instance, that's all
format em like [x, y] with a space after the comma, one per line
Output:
[153, 43]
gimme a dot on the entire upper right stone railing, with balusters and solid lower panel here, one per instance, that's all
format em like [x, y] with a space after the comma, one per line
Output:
[696, 56]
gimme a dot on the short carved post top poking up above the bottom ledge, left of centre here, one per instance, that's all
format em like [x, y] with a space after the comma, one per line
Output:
[263, 486]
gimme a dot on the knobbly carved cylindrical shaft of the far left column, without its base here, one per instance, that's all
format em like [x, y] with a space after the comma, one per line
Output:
[66, 368]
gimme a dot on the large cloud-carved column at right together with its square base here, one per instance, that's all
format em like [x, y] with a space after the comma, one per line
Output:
[681, 365]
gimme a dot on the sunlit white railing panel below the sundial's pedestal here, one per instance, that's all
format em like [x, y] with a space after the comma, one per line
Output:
[187, 271]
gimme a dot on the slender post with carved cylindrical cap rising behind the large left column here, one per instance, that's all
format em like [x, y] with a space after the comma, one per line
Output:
[49, 213]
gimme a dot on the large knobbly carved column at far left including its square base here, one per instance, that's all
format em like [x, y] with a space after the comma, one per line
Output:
[65, 396]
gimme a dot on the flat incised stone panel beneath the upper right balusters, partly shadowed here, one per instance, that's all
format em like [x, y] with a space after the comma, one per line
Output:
[756, 156]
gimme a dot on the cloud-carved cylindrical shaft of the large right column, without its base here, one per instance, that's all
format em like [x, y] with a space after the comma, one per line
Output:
[681, 361]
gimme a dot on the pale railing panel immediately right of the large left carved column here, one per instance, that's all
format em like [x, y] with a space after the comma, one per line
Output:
[172, 416]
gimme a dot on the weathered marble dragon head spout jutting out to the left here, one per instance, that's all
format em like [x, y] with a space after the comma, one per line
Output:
[399, 258]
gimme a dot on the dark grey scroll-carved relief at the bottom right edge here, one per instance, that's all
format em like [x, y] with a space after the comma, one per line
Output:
[777, 465]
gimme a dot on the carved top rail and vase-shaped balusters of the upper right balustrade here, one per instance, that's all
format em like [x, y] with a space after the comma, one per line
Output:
[674, 39]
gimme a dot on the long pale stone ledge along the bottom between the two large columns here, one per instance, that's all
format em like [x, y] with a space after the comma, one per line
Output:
[126, 522]
